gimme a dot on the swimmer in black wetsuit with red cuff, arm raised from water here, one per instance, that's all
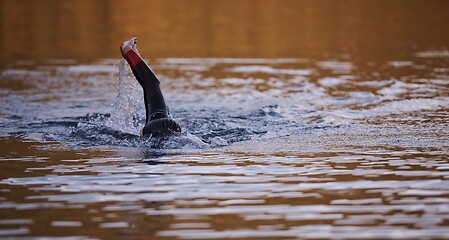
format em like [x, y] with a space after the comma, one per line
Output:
[158, 122]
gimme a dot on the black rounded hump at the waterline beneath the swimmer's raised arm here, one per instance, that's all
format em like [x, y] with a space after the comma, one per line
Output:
[161, 127]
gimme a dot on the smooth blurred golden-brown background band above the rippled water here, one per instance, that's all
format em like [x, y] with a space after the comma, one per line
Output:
[83, 29]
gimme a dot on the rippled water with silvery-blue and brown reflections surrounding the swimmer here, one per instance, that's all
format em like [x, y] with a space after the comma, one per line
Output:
[271, 148]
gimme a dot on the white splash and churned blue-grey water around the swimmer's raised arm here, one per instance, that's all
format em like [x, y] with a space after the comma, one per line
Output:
[126, 119]
